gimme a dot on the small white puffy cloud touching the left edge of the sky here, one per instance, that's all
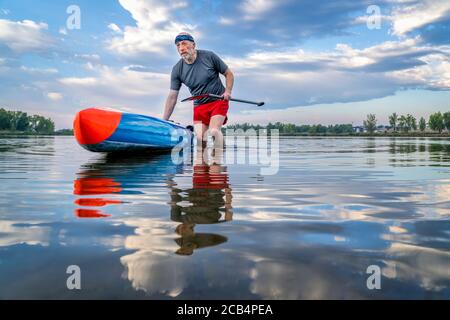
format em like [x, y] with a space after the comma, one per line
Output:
[26, 35]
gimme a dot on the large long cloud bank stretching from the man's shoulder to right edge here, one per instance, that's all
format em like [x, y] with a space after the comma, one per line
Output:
[295, 77]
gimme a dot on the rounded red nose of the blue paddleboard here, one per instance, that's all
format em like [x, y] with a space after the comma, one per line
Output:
[92, 126]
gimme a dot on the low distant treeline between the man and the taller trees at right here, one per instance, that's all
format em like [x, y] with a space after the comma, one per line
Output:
[289, 128]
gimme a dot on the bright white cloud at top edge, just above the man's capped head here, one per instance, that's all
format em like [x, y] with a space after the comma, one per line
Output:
[155, 28]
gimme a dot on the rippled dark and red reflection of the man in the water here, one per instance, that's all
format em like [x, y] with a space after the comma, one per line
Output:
[207, 202]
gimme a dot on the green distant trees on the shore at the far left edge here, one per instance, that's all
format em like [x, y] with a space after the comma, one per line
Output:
[20, 121]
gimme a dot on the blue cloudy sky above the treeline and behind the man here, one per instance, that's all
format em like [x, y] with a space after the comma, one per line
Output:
[311, 61]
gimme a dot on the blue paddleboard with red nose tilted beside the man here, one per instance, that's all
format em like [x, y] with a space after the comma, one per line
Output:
[108, 130]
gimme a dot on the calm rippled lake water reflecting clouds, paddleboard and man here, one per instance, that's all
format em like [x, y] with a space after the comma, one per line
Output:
[145, 228]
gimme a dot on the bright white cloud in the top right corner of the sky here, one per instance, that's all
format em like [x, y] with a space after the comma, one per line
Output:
[413, 15]
